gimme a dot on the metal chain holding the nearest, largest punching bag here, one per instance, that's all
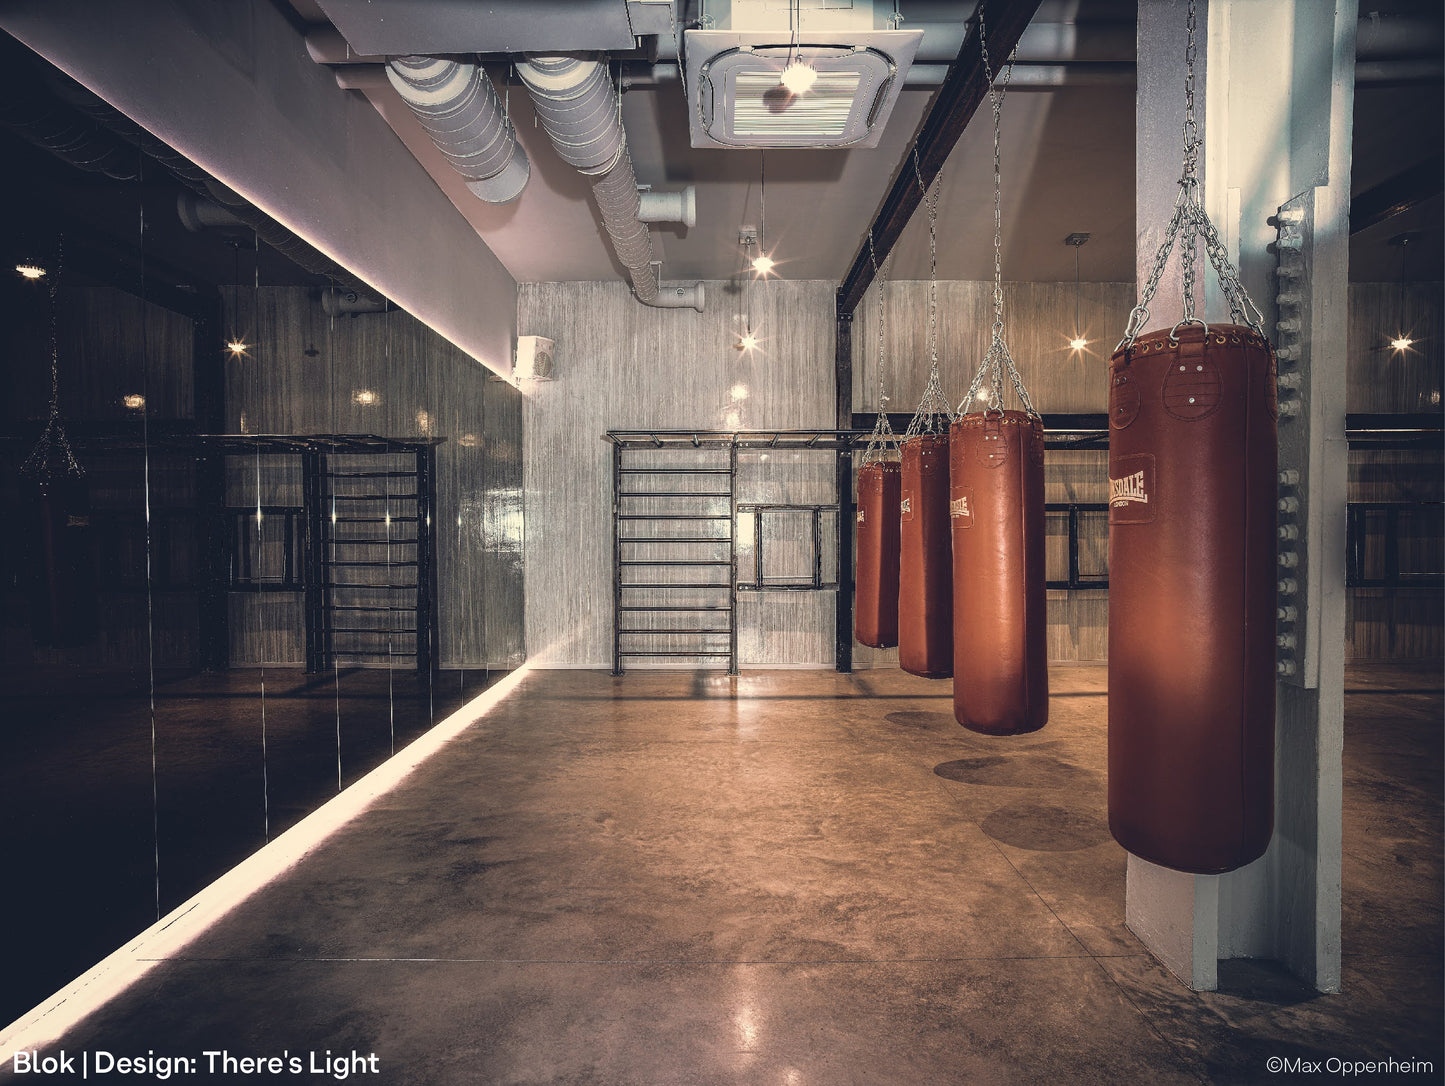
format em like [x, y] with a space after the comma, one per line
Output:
[1190, 223]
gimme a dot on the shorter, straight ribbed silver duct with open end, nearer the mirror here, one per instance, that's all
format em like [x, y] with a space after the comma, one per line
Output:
[459, 108]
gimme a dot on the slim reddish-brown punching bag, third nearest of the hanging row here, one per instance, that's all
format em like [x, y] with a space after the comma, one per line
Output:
[926, 560]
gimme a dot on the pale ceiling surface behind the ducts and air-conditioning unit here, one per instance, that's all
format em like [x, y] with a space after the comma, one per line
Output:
[1069, 165]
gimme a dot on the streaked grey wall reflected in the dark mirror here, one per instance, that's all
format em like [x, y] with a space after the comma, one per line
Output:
[303, 375]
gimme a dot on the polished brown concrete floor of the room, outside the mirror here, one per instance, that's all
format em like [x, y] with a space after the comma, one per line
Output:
[791, 877]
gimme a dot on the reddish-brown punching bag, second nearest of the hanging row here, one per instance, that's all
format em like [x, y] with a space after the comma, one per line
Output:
[996, 512]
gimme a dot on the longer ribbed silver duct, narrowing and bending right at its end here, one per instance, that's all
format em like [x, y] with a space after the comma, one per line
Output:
[580, 112]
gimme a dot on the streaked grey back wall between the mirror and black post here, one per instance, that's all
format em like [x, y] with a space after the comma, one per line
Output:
[624, 366]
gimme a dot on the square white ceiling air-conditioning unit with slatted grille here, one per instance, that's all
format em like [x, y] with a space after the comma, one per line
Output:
[739, 99]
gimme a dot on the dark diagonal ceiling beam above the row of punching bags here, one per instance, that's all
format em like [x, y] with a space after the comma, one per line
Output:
[954, 106]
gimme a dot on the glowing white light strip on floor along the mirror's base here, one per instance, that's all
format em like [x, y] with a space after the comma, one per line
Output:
[174, 932]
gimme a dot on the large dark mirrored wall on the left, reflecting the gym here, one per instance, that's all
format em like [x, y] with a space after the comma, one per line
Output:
[265, 532]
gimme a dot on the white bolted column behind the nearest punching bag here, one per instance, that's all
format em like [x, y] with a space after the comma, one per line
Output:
[1275, 100]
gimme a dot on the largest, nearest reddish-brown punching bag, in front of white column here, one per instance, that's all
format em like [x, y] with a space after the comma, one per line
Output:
[1193, 453]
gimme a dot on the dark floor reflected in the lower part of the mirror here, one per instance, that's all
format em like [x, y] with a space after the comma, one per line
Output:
[119, 802]
